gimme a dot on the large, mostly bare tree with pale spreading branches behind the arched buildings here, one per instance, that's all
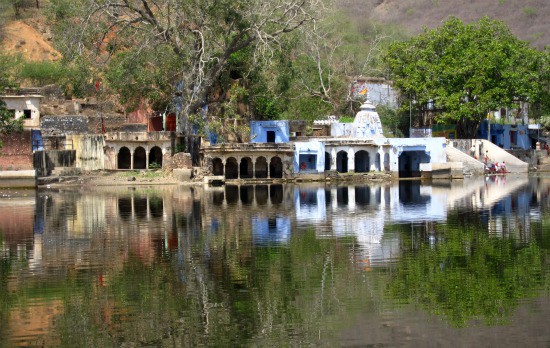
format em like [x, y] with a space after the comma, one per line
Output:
[202, 35]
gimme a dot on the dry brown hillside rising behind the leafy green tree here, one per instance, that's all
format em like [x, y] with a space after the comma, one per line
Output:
[528, 19]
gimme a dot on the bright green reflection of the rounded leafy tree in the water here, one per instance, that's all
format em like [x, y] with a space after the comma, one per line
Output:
[467, 274]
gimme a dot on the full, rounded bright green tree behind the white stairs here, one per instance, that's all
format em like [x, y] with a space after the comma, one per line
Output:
[460, 72]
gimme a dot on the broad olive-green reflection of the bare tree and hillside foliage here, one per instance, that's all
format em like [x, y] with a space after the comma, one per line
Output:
[290, 294]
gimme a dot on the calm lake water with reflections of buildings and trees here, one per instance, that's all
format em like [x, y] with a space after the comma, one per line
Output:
[462, 263]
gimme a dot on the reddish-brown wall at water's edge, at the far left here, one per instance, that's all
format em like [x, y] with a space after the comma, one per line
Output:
[16, 154]
